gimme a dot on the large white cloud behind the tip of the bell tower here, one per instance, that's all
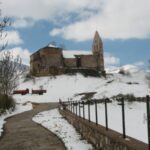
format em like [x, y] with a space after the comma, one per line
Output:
[117, 19]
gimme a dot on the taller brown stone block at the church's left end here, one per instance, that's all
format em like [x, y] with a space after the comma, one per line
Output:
[46, 61]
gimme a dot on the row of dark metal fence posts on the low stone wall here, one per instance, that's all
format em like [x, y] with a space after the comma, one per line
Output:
[78, 108]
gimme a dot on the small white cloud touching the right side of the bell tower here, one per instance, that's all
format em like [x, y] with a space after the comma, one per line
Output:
[111, 60]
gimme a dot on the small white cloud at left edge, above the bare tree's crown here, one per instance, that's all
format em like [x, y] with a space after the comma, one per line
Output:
[12, 38]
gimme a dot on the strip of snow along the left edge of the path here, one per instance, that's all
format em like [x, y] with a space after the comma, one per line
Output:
[19, 109]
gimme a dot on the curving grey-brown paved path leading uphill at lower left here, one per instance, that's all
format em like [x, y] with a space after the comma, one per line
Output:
[21, 133]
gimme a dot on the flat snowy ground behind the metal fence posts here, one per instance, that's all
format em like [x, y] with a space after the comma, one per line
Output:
[135, 118]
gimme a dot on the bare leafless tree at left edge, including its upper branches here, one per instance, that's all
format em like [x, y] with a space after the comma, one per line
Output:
[10, 67]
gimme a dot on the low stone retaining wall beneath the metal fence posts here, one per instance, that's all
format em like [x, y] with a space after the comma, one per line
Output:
[100, 137]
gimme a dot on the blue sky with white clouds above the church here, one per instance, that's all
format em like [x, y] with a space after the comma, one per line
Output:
[123, 25]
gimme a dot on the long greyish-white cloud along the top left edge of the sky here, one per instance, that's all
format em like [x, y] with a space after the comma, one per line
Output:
[47, 9]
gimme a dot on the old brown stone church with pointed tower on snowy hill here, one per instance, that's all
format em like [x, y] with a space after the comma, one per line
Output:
[53, 60]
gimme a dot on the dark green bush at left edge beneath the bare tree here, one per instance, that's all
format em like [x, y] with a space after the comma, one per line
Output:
[6, 102]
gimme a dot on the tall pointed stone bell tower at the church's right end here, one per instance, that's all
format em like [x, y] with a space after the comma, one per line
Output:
[97, 49]
